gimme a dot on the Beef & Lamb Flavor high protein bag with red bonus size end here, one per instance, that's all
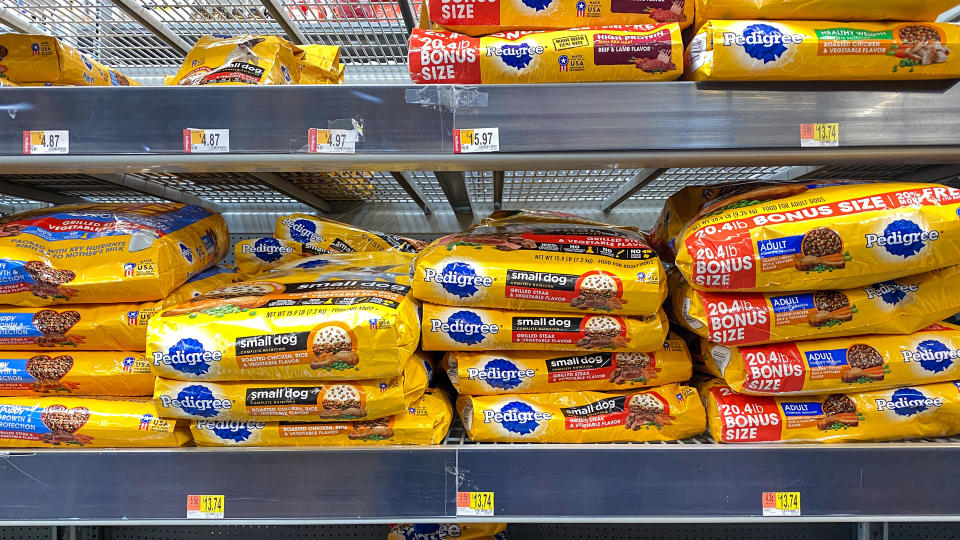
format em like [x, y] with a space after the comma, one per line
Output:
[612, 53]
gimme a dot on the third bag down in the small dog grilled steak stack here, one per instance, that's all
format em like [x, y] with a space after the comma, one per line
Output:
[522, 372]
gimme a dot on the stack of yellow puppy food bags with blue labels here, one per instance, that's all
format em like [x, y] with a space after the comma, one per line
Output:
[79, 283]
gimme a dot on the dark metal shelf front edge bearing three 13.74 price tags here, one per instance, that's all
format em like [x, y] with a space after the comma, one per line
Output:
[691, 481]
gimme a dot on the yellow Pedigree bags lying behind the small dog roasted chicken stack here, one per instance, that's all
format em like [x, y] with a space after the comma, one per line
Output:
[300, 236]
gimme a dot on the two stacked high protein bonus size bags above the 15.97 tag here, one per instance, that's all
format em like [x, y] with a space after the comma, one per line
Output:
[548, 41]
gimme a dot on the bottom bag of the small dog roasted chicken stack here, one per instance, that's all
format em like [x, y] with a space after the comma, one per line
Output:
[424, 422]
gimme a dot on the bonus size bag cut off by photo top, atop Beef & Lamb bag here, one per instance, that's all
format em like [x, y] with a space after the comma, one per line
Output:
[482, 17]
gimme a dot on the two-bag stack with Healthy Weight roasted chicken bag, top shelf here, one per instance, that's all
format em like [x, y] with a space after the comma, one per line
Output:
[774, 40]
